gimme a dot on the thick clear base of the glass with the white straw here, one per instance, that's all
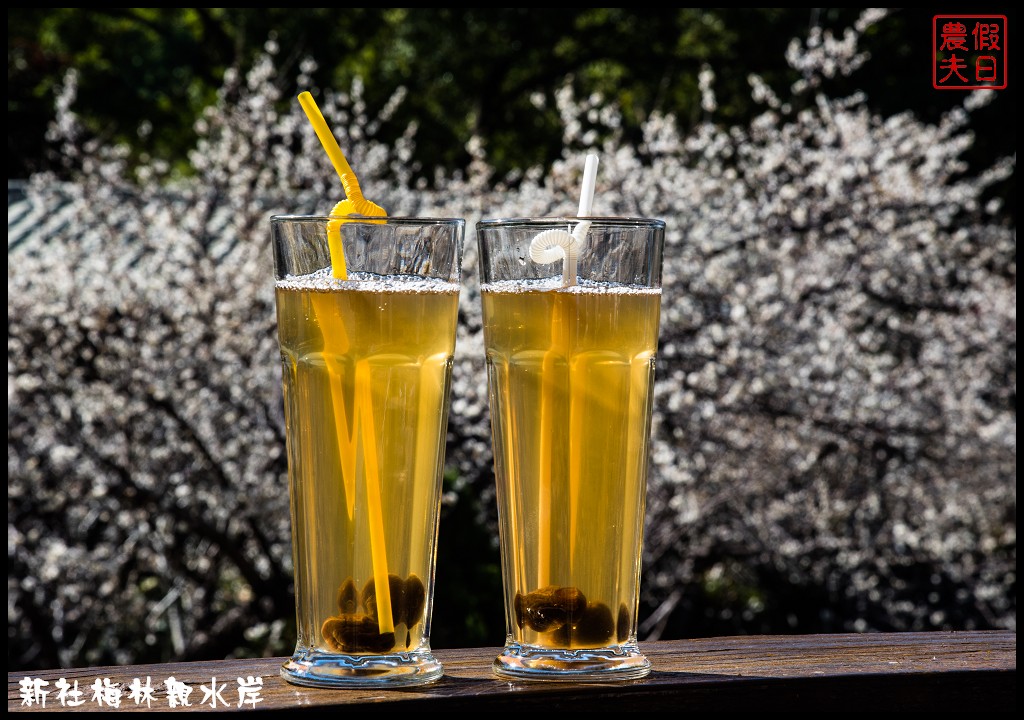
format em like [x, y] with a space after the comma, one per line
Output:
[598, 665]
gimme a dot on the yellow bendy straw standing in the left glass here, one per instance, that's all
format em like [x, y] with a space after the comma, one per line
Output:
[336, 340]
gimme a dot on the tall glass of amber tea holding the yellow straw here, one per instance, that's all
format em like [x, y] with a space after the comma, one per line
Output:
[366, 366]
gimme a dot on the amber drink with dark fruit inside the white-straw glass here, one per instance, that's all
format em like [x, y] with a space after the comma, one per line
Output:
[571, 378]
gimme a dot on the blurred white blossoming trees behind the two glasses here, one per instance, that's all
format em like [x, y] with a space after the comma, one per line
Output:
[834, 446]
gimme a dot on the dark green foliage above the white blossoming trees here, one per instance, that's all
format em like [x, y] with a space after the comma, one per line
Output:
[148, 73]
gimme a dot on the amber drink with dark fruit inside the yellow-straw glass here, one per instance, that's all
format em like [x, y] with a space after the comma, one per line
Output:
[367, 366]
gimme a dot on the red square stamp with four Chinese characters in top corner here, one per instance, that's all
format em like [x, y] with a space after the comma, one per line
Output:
[970, 53]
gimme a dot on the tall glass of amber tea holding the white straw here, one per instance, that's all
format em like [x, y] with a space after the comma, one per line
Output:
[571, 369]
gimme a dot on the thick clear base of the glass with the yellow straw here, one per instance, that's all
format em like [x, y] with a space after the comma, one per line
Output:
[332, 670]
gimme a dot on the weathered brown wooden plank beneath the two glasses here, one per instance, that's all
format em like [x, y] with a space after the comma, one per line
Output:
[973, 671]
